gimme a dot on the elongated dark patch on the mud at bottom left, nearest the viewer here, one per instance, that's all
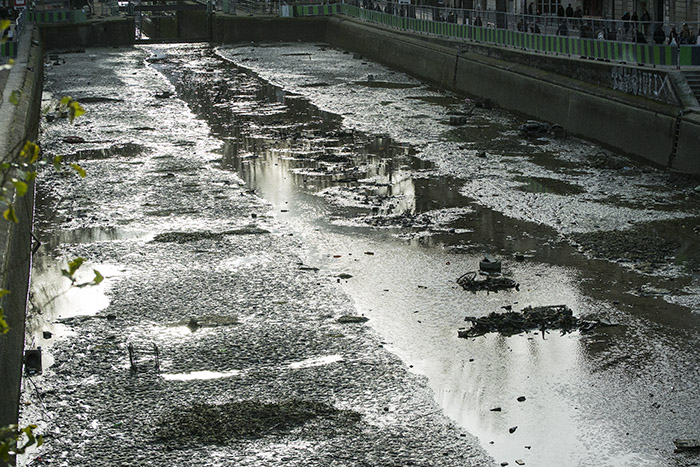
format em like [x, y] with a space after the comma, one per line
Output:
[201, 423]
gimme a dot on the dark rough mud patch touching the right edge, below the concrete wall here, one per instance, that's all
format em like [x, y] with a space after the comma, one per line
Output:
[657, 243]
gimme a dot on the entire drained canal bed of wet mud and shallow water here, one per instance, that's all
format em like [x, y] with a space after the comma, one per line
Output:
[266, 190]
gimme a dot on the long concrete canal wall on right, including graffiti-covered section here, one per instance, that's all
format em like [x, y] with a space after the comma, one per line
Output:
[646, 126]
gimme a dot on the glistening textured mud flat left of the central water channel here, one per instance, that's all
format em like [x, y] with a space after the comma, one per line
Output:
[267, 376]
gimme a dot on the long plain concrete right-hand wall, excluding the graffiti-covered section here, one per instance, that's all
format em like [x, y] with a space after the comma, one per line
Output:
[629, 124]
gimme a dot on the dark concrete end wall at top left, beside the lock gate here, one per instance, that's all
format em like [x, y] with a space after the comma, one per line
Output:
[94, 33]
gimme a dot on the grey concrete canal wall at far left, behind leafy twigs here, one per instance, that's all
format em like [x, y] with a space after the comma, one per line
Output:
[19, 123]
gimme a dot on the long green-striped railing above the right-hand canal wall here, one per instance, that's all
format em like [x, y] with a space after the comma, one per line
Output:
[459, 24]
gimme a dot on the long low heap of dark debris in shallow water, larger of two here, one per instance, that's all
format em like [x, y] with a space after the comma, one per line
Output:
[540, 318]
